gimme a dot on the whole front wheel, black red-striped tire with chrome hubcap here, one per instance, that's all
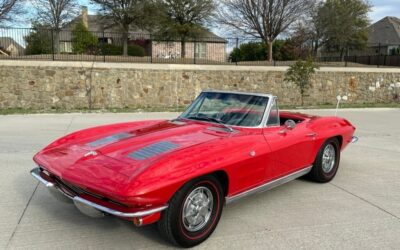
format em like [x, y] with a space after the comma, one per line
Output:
[174, 226]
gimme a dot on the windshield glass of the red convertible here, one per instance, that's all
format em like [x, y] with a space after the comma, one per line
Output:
[228, 108]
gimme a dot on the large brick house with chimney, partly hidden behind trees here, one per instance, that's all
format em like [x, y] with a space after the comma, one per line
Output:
[210, 46]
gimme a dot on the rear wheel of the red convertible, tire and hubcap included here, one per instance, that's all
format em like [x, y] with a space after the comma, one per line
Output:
[325, 171]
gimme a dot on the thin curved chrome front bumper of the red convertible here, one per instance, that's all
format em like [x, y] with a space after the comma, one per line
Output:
[53, 188]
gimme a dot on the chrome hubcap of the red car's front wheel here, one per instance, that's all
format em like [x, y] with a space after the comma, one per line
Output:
[197, 209]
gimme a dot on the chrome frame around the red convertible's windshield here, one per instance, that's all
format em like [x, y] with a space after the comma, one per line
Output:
[267, 110]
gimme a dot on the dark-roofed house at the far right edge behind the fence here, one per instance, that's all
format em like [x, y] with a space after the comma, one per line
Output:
[385, 35]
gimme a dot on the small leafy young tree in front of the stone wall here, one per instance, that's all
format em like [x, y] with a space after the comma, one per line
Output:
[300, 74]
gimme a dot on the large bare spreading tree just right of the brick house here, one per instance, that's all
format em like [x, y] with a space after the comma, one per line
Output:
[265, 19]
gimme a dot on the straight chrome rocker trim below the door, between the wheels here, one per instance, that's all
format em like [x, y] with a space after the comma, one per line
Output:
[269, 185]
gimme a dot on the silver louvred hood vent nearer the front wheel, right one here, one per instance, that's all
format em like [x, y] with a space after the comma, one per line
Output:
[153, 150]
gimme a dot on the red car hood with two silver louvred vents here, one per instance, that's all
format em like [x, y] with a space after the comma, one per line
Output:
[121, 152]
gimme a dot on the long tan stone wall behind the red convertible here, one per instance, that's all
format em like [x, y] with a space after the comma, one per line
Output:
[76, 85]
